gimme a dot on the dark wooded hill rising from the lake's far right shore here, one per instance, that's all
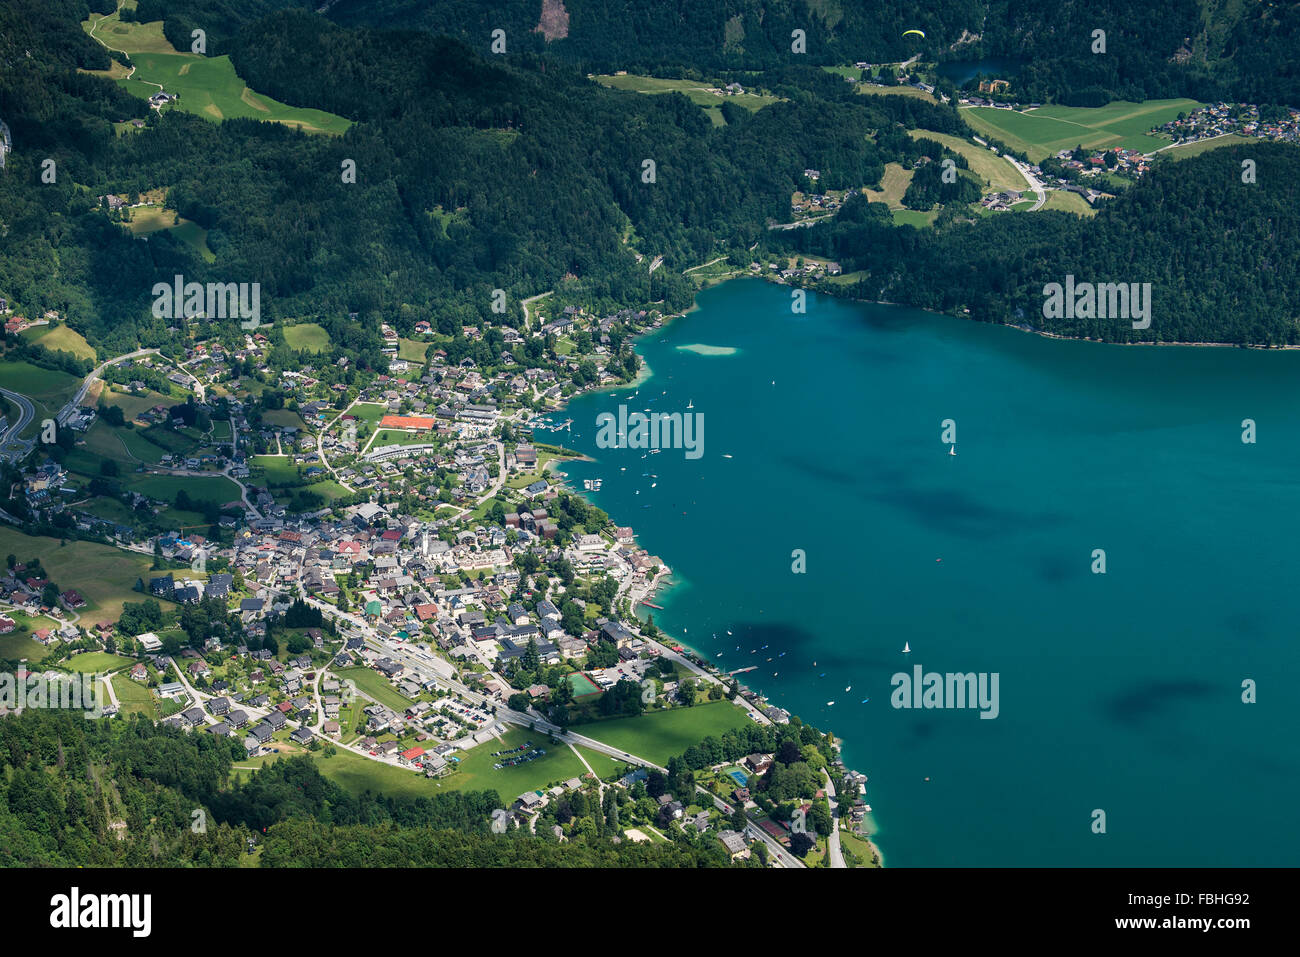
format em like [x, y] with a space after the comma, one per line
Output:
[1219, 253]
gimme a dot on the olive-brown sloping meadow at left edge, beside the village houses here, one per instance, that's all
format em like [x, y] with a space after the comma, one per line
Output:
[103, 575]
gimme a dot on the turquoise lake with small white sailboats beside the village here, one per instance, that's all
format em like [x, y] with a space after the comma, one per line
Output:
[1120, 692]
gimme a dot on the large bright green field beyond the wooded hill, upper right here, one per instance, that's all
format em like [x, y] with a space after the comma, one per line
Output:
[1047, 131]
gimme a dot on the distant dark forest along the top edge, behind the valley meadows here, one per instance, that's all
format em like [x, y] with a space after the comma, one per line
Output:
[1177, 49]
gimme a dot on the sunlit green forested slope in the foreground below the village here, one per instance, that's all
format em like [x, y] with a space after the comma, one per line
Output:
[118, 794]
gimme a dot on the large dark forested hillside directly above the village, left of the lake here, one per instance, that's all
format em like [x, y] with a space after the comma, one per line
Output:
[473, 175]
